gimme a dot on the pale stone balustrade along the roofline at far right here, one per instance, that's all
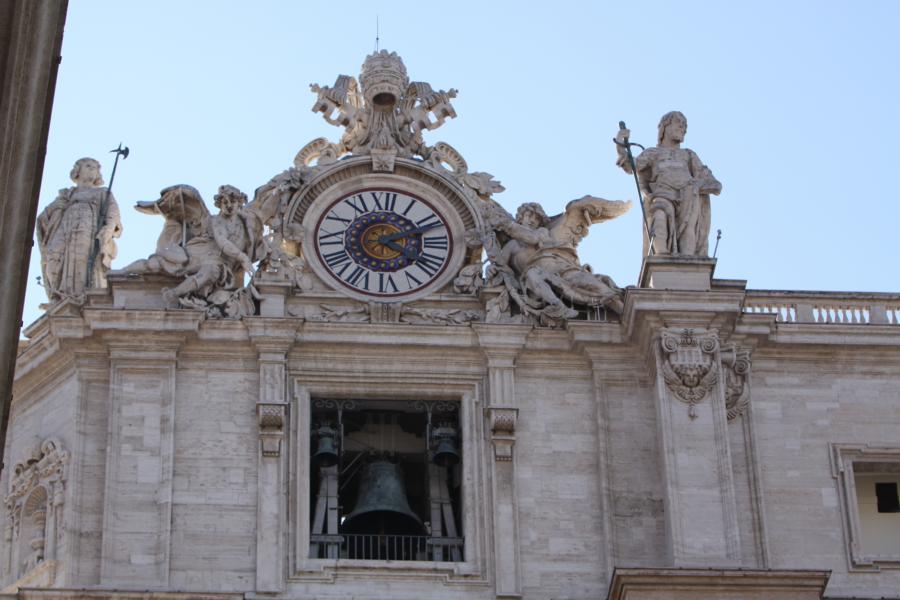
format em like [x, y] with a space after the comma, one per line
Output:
[825, 307]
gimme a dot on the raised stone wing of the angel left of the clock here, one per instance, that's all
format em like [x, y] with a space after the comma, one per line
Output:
[184, 211]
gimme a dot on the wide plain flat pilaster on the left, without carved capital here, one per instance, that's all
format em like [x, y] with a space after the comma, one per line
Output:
[137, 511]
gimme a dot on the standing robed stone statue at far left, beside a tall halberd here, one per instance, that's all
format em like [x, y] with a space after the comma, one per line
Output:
[66, 233]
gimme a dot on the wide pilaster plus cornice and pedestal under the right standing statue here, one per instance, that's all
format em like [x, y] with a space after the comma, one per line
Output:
[683, 327]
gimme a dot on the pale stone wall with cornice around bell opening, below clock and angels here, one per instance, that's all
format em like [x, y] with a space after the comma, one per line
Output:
[565, 450]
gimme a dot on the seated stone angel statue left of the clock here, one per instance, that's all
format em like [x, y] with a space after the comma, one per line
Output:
[211, 253]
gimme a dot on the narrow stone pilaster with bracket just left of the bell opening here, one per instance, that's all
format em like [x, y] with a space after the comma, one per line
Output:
[272, 339]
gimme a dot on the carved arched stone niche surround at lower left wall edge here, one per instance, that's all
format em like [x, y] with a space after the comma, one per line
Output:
[34, 507]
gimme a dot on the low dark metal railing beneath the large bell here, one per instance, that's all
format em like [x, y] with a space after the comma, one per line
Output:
[360, 546]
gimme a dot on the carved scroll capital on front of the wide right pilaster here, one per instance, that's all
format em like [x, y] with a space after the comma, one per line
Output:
[689, 365]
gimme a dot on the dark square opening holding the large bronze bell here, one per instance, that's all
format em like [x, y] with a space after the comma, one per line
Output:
[385, 480]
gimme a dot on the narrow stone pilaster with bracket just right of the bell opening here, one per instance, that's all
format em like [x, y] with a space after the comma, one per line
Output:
[501, 345]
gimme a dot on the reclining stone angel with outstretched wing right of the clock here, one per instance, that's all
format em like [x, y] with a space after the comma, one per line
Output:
[535, 258]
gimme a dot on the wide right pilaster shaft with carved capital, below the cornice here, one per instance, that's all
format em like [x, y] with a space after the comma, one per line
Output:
[701, 514]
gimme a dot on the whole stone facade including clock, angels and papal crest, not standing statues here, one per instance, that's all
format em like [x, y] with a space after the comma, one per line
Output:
[177, 435]
